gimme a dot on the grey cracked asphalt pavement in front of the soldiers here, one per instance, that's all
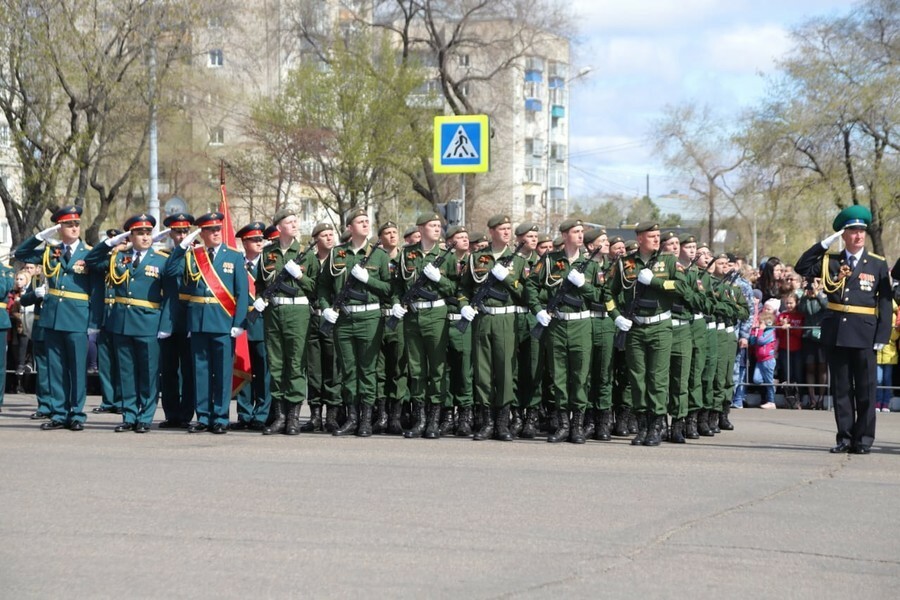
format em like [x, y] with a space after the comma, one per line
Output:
[763, 511]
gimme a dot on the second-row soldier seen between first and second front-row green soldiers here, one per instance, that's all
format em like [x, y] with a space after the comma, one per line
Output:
[322, 376]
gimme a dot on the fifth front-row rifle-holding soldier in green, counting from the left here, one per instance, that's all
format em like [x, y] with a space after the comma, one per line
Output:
[569, 330]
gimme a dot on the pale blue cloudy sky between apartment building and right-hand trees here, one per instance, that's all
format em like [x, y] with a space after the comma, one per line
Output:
[647, 54]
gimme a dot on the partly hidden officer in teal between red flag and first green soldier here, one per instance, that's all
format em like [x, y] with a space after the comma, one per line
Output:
[254, 400]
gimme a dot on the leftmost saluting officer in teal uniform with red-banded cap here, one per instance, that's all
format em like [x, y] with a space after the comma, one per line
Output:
[66, 314]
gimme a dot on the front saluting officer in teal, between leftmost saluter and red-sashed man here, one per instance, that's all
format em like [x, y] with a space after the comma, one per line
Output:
[136, 317]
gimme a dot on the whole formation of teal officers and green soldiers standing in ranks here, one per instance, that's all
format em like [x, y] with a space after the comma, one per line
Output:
[584, 339]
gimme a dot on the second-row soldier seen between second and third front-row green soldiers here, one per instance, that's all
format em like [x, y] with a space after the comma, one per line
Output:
[393, 369]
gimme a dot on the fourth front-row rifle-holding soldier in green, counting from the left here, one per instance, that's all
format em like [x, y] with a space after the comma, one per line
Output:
[494, 329]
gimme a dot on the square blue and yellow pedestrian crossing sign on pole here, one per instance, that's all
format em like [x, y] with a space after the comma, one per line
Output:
[461, 144]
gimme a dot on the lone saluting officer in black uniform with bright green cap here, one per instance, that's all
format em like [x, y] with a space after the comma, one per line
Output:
[857, 323]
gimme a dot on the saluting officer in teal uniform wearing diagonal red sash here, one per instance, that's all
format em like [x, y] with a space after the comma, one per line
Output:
[217, 292]
